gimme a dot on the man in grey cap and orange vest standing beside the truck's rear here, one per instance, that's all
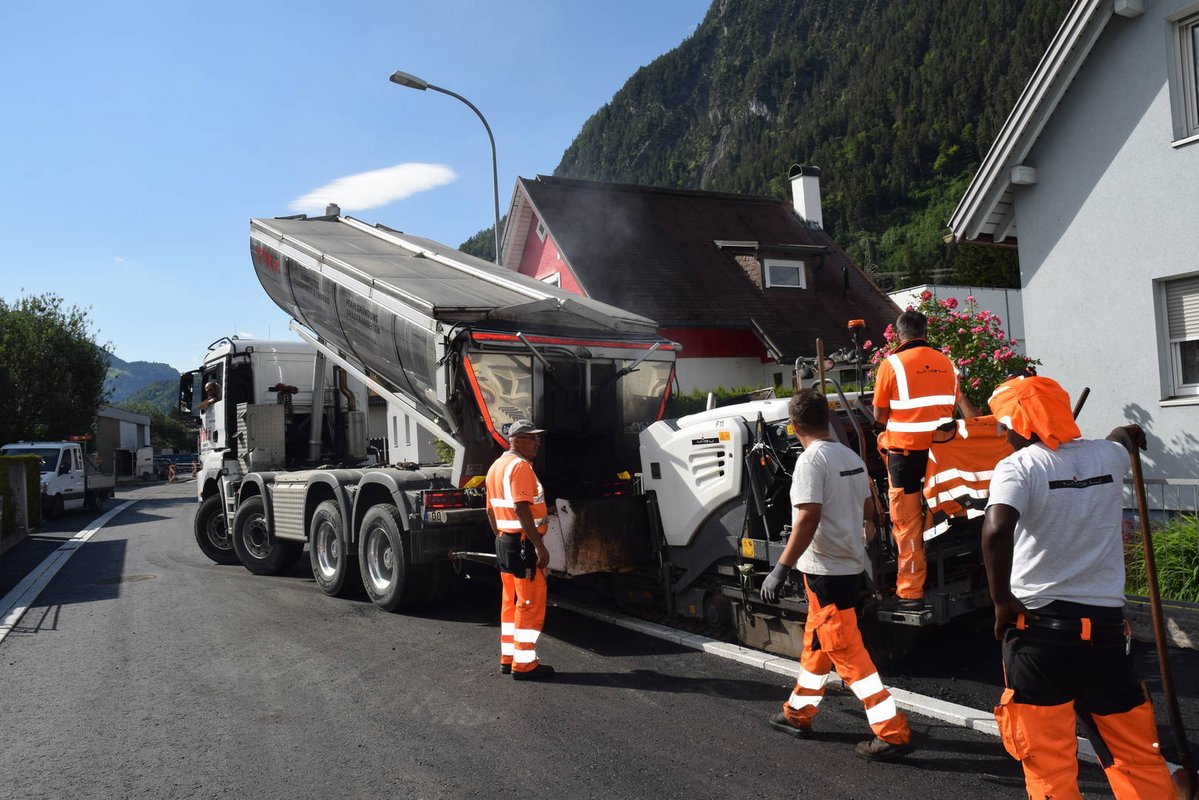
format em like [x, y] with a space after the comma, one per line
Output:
[516, 508]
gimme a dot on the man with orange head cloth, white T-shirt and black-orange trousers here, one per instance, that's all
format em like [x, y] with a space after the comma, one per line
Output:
[1055, 557]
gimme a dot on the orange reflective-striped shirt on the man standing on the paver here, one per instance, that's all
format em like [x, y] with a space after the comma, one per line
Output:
[921, 389]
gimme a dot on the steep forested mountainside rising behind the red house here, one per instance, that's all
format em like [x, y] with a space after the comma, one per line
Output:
[896, 101]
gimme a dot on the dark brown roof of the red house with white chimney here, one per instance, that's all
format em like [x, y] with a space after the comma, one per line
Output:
[672, 256]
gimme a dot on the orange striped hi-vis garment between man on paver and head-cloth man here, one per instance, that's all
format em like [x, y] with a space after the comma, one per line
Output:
[957, 482]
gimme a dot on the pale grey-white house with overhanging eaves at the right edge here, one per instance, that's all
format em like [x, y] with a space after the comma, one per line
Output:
[1094, 178]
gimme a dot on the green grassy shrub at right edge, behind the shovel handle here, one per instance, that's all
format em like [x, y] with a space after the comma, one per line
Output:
[1176, 556]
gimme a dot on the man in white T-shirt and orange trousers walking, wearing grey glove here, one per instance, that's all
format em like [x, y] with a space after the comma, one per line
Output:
[833, 524]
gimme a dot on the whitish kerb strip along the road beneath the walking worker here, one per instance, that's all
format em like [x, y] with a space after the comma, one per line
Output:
[929, 707]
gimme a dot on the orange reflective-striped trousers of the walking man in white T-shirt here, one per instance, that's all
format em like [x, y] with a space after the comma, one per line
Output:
[832, 640]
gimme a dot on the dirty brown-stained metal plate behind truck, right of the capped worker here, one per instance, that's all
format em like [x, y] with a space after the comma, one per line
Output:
[606, 534]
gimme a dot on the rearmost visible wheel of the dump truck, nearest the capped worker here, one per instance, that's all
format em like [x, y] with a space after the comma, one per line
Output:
[391, 580]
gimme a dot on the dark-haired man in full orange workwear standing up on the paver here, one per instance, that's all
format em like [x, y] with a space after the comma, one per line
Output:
[915, 393]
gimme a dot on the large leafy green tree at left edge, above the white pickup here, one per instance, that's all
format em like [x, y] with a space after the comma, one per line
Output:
[52, 370]
